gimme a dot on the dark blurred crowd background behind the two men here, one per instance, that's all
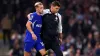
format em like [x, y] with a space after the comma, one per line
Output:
[80, 20]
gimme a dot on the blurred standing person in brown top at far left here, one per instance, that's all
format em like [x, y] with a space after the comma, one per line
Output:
[6, 27]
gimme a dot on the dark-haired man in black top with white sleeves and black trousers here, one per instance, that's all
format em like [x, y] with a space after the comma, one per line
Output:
[51, 31]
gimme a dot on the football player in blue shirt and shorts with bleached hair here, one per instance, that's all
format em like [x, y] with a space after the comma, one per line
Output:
[32, 38]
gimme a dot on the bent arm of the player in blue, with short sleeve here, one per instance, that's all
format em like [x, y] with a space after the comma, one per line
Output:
[29, 28]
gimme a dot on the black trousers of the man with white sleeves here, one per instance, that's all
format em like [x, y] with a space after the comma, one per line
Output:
[51, 42]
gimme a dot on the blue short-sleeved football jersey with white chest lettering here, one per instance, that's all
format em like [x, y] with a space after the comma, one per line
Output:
[36, 21]
